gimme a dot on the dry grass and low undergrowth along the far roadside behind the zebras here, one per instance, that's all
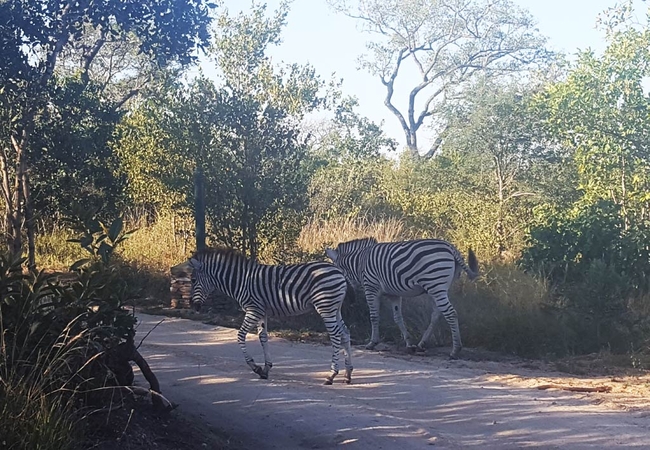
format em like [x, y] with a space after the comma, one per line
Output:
[505, 310]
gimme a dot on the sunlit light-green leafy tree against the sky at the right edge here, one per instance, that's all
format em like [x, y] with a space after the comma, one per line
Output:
[601, 112]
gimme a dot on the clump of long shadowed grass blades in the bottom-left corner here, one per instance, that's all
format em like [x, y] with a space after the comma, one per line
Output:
[40, 383]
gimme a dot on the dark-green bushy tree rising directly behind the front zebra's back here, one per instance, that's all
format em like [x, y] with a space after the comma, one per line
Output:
[259, 176]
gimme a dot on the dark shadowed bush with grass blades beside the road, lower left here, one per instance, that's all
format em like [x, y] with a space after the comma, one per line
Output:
[57, 339]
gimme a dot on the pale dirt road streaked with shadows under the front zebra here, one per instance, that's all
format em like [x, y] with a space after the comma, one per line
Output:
[392, 404]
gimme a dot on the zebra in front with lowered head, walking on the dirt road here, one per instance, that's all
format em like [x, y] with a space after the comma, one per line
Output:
[279, 291]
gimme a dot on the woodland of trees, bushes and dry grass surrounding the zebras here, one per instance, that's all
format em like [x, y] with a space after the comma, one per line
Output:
[538, 164]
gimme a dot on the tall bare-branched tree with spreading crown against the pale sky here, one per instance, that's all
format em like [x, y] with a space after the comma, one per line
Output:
[447, 43]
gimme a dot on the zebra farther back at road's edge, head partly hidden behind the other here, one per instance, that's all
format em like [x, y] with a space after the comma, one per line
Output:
[405, 269]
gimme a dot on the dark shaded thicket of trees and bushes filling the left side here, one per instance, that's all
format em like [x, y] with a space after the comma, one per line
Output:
[68, 71]
